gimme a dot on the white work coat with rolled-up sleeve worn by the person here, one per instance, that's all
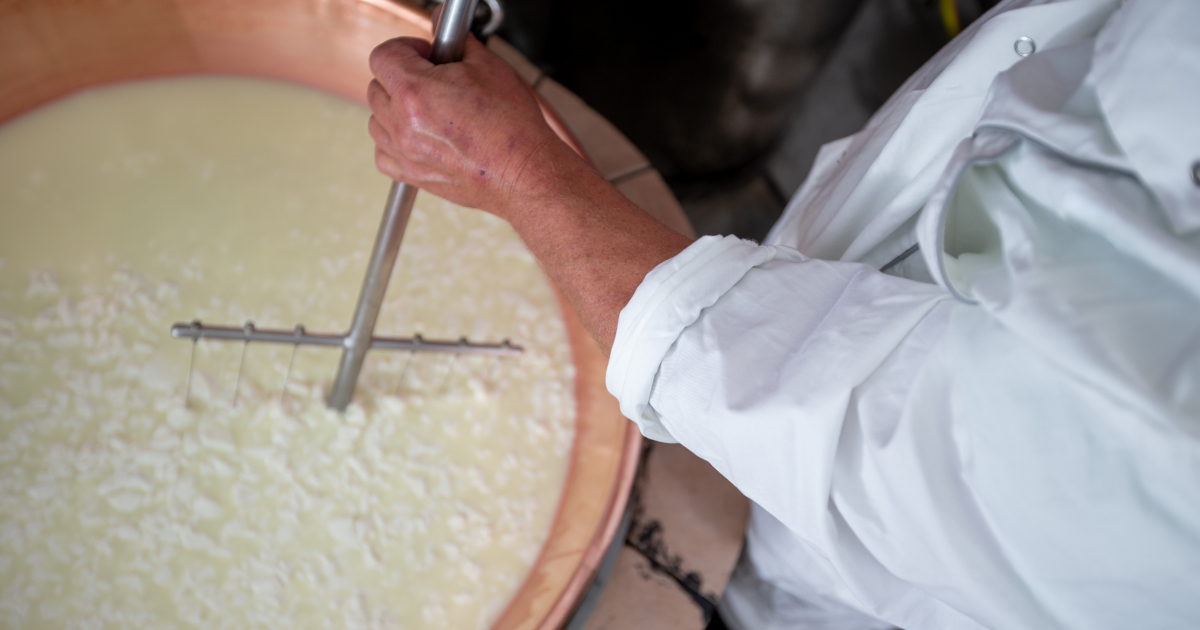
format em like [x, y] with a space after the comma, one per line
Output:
[1017, 446]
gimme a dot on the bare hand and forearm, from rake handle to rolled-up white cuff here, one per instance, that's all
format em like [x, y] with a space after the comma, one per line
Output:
[473, 134]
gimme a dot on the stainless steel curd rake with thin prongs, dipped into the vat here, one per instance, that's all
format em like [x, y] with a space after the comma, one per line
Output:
[449, 43]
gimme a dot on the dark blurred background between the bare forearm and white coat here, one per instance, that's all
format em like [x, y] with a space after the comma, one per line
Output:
[731, 99]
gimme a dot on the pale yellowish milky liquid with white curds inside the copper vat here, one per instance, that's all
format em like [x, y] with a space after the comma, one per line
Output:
[127, 209]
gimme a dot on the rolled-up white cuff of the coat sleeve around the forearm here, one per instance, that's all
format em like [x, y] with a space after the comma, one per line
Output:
[670, 299]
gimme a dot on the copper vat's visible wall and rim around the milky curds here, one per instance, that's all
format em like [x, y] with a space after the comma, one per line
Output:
[51, 49]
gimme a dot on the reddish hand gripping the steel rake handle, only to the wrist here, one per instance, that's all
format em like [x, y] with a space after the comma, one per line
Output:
[469, 131]
